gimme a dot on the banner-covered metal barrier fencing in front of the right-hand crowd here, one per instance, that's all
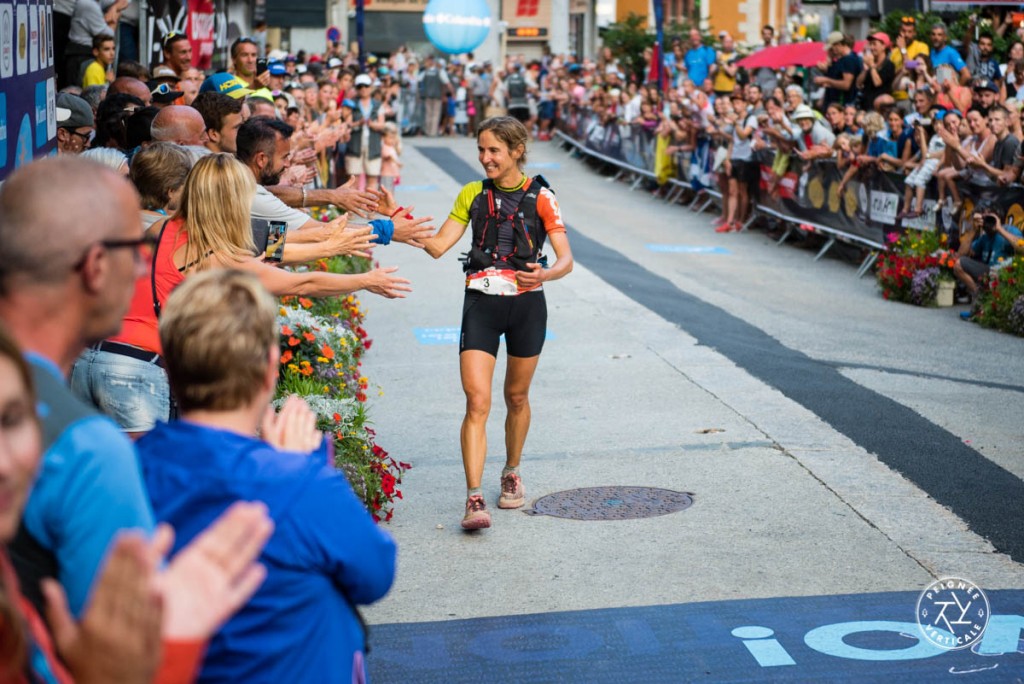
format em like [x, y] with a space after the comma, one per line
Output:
[865, 213]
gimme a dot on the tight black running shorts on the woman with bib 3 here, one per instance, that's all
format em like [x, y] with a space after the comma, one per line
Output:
[524, 321]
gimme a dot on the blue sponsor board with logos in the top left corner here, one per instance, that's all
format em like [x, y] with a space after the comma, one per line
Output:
[28, 114]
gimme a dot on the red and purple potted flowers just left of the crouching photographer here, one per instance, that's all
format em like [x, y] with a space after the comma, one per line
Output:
[914, 266]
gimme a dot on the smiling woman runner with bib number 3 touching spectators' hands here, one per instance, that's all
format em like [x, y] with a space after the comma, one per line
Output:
[511, 216]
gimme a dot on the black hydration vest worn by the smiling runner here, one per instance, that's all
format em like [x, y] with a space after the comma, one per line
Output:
[528, 230]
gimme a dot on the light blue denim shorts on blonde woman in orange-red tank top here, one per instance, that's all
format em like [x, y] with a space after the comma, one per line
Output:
[134, 393]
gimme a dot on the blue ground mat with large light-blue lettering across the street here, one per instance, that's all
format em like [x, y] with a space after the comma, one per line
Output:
[850, 638]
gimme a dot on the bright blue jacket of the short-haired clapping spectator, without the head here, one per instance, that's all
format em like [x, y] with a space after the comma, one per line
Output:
[326, 551]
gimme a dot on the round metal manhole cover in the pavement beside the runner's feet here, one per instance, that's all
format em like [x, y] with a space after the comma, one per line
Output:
[612, 503]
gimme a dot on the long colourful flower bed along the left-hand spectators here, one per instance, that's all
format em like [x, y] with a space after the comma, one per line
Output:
[322, 347]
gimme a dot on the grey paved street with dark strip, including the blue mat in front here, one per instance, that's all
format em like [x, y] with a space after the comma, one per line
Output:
[842, 453]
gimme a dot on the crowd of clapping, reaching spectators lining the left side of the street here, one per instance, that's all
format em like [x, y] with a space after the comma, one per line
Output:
[149, 301]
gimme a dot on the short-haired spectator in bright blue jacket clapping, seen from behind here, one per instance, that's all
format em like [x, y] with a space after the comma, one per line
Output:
[326, 555]
